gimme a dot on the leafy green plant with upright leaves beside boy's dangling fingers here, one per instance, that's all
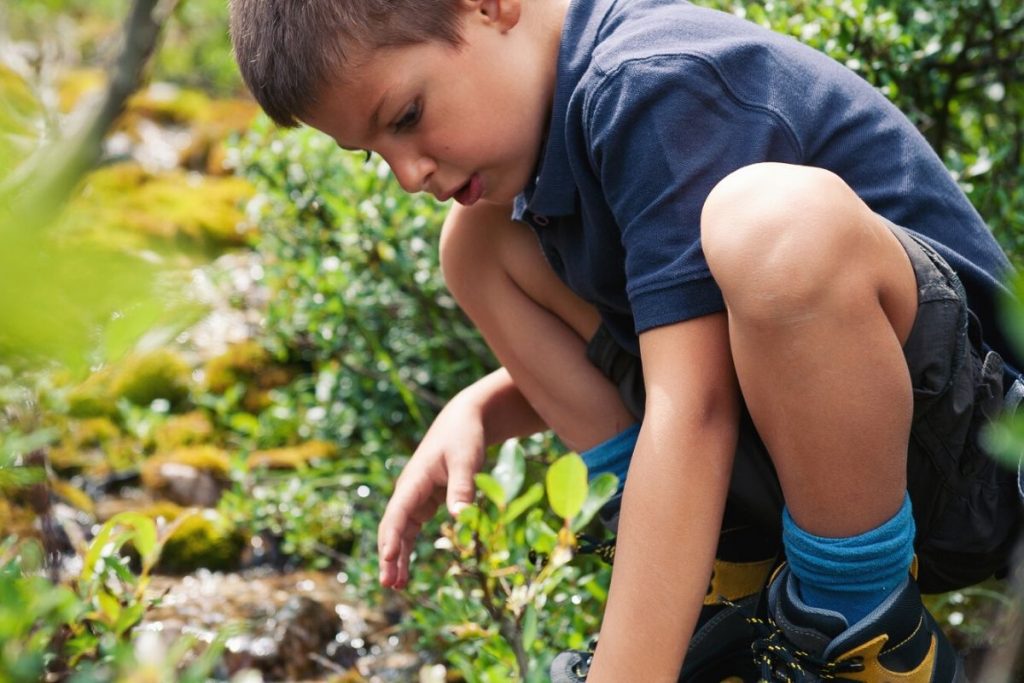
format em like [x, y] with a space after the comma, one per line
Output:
[511, 601]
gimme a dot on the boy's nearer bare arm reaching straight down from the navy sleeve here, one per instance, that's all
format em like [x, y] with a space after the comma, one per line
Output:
[673, 504]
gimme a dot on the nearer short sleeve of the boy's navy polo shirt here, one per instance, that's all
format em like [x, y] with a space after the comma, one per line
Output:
[663, 132]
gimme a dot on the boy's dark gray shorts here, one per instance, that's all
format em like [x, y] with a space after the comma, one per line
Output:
[966, 507]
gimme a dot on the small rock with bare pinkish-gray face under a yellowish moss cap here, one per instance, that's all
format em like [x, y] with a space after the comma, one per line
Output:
[191, 476]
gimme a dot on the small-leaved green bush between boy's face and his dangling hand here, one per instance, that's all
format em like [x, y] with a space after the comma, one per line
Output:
[356, 293]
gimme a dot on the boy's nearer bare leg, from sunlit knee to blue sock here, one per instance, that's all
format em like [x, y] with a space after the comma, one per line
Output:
[821, 297]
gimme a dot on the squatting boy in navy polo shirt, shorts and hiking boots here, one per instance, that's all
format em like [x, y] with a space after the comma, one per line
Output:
[764, 232]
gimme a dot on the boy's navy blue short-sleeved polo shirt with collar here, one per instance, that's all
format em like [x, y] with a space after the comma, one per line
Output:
[657, 101]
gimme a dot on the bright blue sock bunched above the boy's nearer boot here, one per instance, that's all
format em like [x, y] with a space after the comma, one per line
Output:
[851, 576]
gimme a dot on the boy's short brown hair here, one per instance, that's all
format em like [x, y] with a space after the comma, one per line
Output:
[289, 51]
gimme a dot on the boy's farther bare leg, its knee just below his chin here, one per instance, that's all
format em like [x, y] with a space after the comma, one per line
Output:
[536, 327]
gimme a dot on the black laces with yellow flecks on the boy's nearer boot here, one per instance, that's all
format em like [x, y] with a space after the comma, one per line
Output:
[781, 661]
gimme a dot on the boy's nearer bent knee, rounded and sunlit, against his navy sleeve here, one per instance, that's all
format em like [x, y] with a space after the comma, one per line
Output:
[777, 236]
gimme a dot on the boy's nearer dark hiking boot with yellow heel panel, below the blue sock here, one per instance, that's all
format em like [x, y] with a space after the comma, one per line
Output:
[899, 642]
